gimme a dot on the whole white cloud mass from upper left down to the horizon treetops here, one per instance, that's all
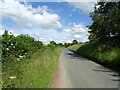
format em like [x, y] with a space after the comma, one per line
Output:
[40, 19]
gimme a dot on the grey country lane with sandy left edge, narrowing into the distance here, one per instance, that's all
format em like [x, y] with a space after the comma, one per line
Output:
[75, 71]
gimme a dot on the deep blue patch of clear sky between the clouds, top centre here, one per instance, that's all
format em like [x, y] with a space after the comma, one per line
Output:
[67, 12]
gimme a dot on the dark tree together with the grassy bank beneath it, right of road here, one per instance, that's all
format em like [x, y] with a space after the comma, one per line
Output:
[104, 39]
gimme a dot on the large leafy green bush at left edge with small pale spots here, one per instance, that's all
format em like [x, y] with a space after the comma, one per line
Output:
[21, 45]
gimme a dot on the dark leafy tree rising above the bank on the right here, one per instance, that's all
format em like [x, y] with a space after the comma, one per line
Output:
[106, 23]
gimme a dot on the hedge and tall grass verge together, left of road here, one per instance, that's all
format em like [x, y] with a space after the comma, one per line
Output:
[27, 63]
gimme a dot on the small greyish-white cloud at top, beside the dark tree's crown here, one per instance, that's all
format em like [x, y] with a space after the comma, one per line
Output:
[86, 7]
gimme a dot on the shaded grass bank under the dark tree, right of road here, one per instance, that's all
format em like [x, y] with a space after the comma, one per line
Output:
[106, 54]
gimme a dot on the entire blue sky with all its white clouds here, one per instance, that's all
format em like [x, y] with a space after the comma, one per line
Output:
[61, 22]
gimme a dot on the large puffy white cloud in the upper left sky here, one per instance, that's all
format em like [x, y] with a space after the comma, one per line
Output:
[27, 16]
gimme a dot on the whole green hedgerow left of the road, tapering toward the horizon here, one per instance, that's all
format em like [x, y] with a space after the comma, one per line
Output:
[21, 46]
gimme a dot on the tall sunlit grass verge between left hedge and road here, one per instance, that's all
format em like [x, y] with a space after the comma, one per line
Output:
[35, 72]
